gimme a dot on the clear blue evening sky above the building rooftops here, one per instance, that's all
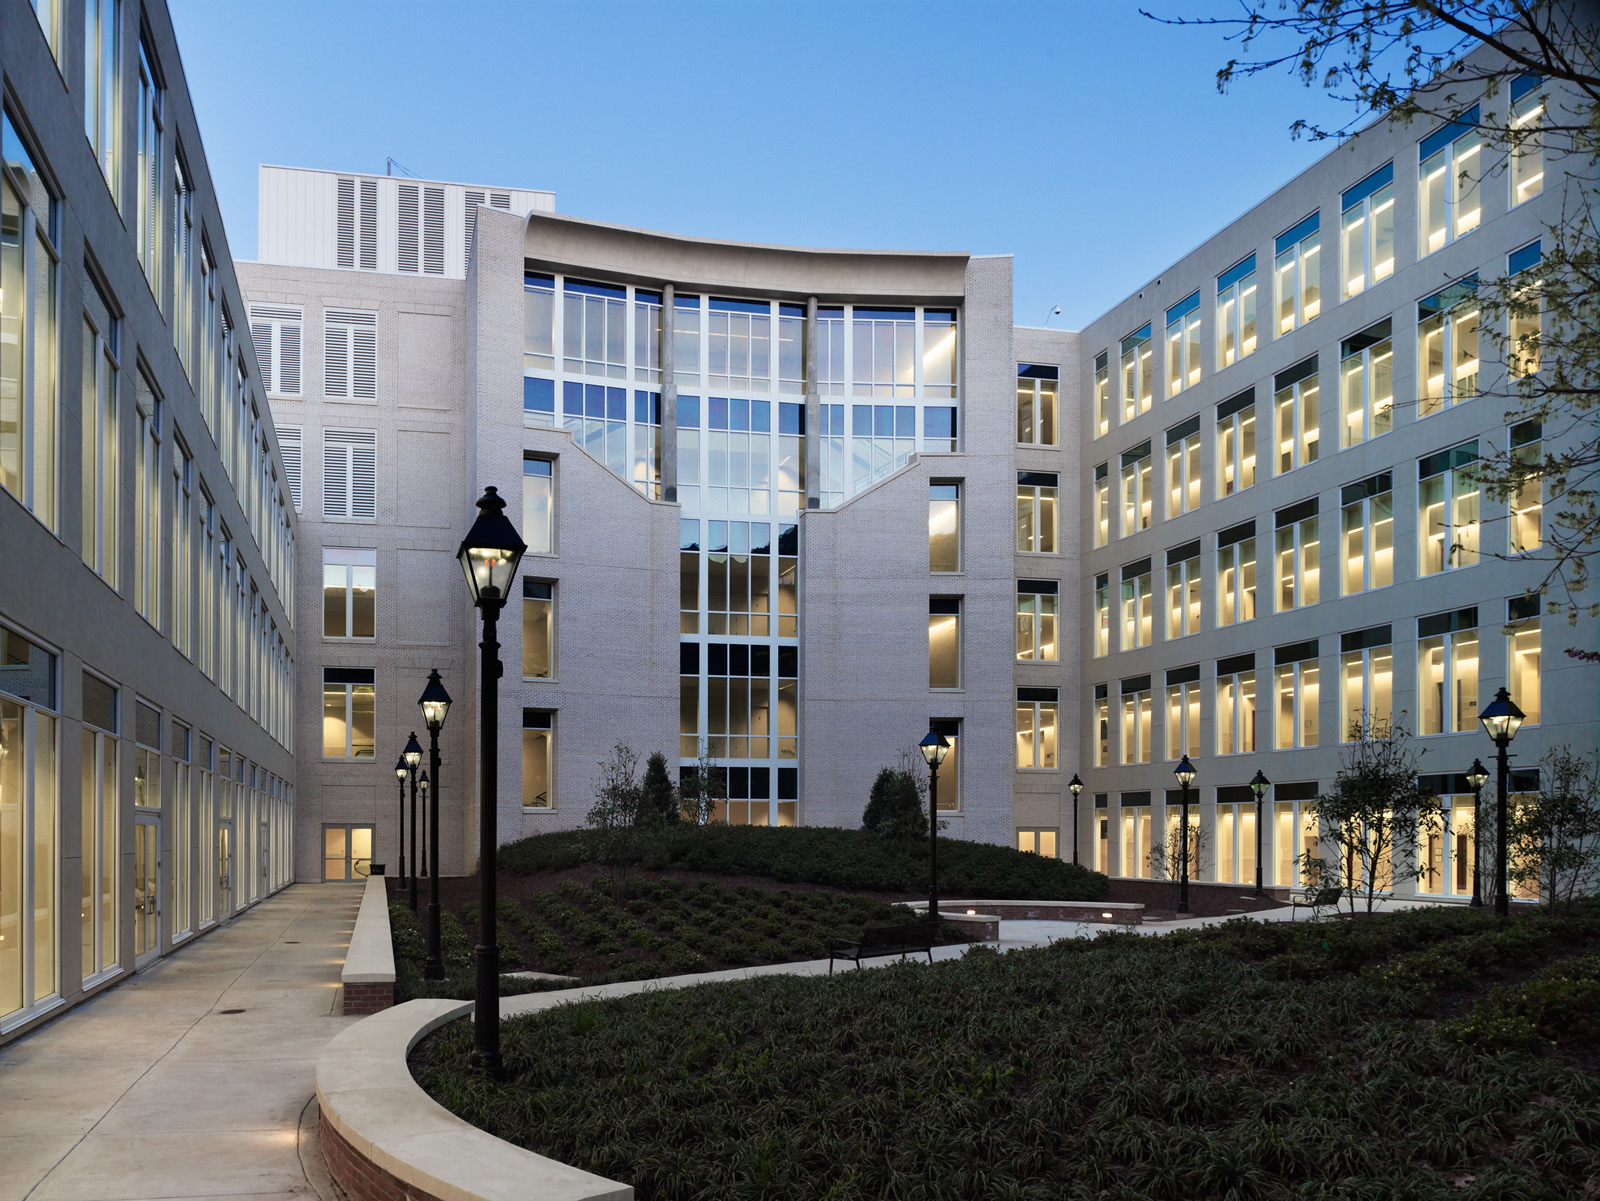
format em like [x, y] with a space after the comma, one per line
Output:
[1079, 137]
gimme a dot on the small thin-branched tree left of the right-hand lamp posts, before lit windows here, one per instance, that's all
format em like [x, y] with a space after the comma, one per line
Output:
[1375, 813]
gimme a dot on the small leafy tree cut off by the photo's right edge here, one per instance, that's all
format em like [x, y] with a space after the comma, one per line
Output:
[1554, 837]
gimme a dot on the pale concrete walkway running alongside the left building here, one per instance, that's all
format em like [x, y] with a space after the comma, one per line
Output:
[158, 1091]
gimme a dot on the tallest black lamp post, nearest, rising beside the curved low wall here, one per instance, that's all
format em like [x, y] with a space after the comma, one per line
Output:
[489, 556]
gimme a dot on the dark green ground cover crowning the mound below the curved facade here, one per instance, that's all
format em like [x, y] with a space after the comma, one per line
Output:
[849, 860]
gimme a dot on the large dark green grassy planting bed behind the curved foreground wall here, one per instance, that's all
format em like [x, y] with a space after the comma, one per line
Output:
[1426, 1055]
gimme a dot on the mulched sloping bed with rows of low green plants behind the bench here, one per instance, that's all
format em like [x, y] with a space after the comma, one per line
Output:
[660, 928]
